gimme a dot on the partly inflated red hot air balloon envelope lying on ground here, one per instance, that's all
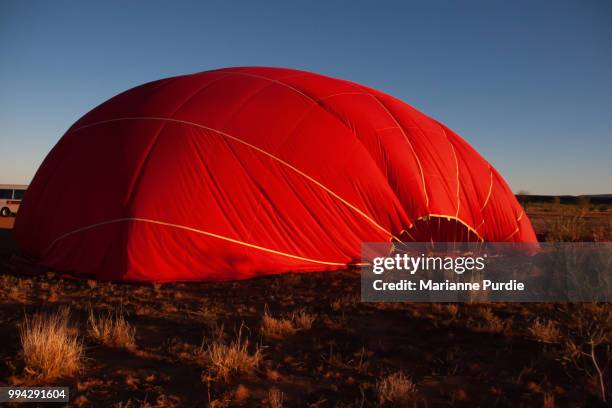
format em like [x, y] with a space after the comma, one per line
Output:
[240, 172]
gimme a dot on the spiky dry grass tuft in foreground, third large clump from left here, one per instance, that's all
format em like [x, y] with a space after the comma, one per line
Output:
[226, 360]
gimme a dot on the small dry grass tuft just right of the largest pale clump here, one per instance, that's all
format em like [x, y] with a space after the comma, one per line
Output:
[111, 329]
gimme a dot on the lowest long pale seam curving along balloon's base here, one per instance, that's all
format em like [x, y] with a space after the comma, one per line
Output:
[207, 233]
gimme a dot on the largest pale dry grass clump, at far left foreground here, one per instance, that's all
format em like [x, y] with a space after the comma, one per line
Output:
[50, 347]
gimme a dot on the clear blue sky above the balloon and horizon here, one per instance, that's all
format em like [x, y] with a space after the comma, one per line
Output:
[528, 83]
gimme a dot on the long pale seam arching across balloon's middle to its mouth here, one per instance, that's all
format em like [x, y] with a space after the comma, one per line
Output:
[354, 208]
